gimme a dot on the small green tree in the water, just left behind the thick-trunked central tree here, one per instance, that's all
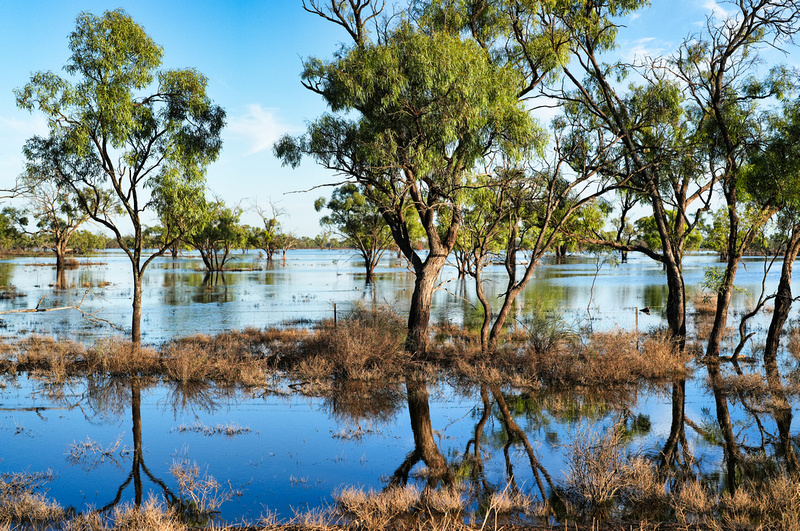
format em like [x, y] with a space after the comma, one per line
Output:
[358, 220]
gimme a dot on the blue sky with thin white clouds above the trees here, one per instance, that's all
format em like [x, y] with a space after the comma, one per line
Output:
[251, 51]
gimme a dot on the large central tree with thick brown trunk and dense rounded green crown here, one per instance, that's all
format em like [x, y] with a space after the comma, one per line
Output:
[412, 115]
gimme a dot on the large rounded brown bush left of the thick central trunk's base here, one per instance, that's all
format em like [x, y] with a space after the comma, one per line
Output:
[367, 344]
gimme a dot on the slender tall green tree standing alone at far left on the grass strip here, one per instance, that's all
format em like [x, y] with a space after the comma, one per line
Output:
[152, 131]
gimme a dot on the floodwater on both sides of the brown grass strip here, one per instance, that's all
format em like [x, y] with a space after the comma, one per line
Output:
[277, 450]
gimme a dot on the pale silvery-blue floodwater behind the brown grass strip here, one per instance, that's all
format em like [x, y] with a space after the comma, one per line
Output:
[179, 300]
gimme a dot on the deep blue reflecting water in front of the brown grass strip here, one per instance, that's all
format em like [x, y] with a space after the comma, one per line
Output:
[287, 453]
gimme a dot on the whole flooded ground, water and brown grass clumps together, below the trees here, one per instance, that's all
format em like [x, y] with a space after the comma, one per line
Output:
[293, 420]
